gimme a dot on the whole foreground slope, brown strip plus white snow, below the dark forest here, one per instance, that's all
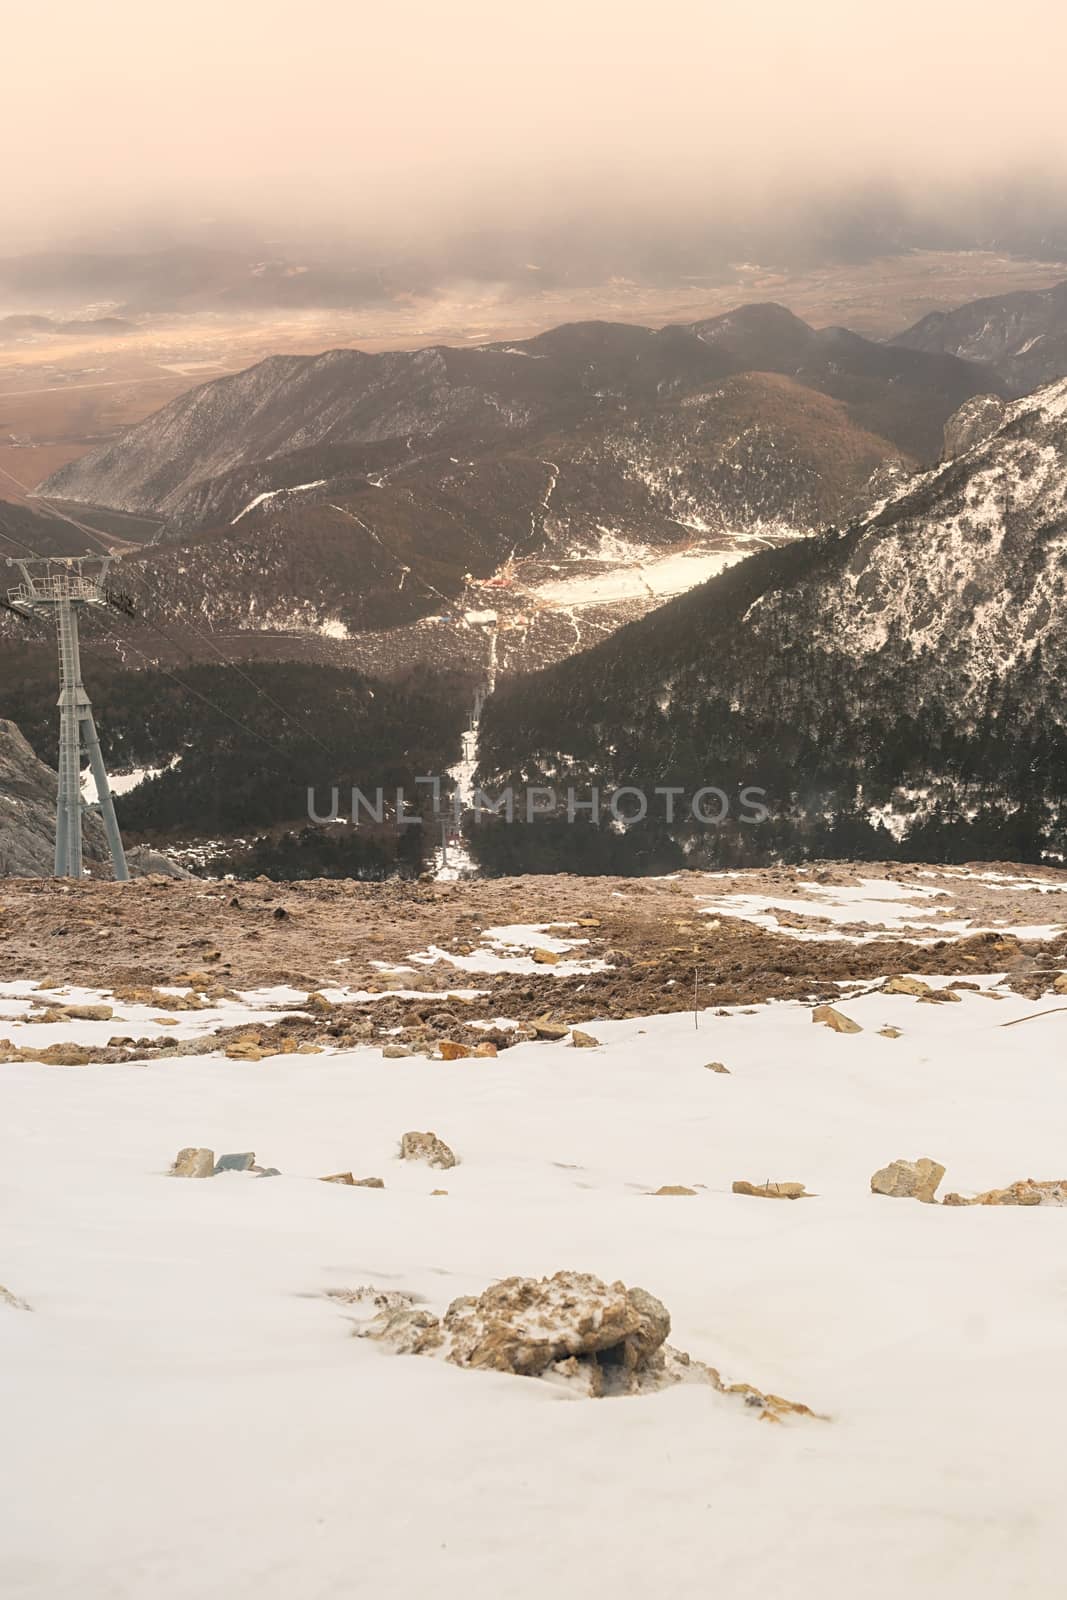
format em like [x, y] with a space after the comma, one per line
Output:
[186, 1410]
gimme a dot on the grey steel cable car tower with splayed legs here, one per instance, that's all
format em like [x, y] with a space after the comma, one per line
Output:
[63, 586]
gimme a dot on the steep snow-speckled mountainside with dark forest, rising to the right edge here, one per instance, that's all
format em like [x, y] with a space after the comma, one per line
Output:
[924, 647]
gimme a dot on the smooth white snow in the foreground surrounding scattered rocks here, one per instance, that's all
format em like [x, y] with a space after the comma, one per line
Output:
[185, 1414]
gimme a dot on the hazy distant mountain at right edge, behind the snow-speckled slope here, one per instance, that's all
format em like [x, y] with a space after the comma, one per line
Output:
[1023, 337]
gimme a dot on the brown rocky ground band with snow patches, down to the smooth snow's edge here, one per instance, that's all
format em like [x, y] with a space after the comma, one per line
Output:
[657, 945]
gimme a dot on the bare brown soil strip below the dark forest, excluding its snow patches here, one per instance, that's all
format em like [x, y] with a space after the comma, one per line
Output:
[653, 932]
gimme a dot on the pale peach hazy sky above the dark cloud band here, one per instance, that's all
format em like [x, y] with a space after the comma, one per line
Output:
[393, 118]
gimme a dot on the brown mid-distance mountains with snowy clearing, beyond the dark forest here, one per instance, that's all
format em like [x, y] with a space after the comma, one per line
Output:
[377, 510]
